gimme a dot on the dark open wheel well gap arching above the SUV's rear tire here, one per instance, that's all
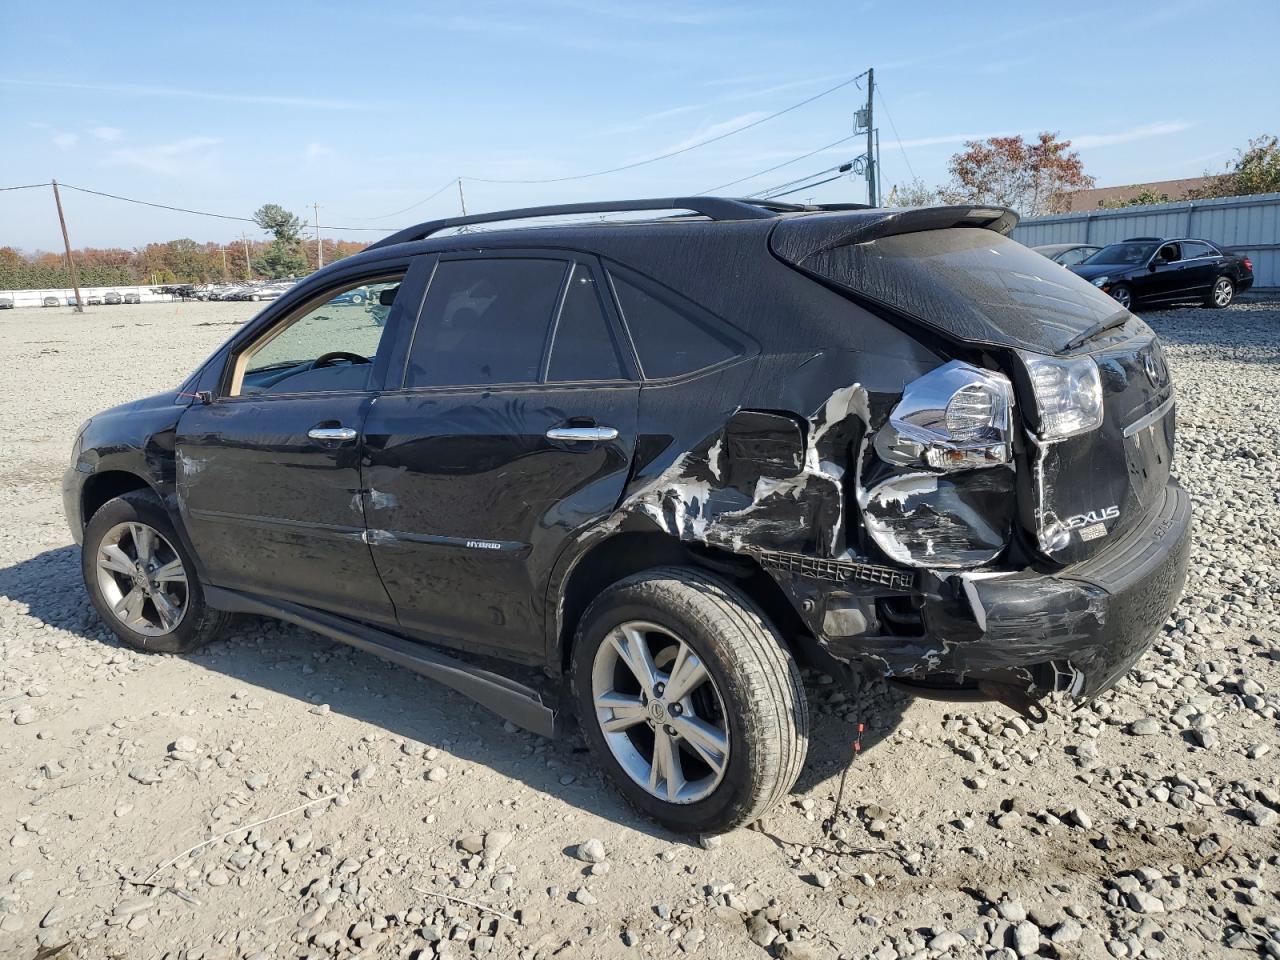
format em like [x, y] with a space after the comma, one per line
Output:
[625, 555]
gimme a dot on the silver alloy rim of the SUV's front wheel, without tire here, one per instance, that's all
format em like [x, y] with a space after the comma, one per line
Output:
[143, 579]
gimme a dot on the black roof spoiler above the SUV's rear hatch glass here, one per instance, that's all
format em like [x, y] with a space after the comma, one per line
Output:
[797, 239]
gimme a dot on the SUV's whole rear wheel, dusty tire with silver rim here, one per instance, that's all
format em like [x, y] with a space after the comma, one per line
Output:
[689, 700]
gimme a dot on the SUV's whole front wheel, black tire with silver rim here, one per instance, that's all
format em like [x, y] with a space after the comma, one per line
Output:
[141, 579]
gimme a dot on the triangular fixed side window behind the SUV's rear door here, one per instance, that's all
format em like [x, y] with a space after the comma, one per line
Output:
[670, 342]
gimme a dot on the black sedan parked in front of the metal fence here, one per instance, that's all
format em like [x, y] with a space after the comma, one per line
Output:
[1154, 271]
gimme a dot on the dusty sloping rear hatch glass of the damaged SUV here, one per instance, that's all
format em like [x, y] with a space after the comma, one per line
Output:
[971, 285]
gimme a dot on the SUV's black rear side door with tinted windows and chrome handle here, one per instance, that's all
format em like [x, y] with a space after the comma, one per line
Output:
[514, 428]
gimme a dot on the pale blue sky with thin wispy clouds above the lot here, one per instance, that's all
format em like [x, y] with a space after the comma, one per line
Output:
[371, 108]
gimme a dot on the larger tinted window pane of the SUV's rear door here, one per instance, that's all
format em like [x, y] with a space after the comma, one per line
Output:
[486, 322]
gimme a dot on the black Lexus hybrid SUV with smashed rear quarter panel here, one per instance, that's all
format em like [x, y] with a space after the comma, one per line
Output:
[634, 472]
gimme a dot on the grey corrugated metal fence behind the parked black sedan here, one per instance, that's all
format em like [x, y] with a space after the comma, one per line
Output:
[1249, 226]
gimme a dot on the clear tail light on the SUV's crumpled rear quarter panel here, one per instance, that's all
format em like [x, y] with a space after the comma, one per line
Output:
[956, 418]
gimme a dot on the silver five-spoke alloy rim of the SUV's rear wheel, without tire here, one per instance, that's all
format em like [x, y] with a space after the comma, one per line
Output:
[661, 714]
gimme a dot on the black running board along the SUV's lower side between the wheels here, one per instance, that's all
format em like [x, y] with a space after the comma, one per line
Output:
[515, 702]
